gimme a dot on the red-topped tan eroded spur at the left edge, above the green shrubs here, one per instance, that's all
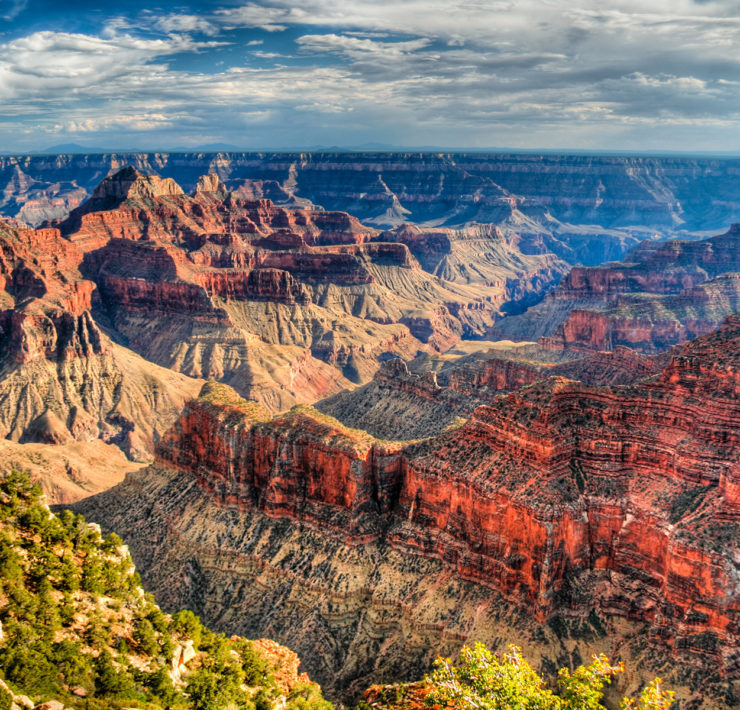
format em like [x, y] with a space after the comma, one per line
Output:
[61, 378]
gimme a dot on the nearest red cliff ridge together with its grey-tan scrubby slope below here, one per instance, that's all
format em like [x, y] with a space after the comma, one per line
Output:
[591, 507]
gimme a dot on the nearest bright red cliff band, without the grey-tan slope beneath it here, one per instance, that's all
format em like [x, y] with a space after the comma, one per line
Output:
[630, 492]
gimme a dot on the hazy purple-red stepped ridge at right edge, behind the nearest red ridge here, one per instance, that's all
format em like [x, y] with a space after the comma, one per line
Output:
[661, 295]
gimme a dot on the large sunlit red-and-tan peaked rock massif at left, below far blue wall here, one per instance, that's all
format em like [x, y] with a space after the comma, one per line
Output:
[287, 305]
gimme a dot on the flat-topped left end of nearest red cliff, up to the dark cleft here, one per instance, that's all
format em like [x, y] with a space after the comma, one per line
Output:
[302, 464]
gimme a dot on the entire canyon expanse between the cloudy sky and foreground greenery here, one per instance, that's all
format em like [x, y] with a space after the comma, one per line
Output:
[377, 406]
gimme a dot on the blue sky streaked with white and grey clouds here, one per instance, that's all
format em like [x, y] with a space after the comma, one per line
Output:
[556, 74]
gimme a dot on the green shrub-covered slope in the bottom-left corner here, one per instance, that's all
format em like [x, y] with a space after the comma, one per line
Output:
[73, 614]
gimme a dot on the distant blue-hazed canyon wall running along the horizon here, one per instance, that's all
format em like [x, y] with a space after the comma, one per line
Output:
[586, 209]
